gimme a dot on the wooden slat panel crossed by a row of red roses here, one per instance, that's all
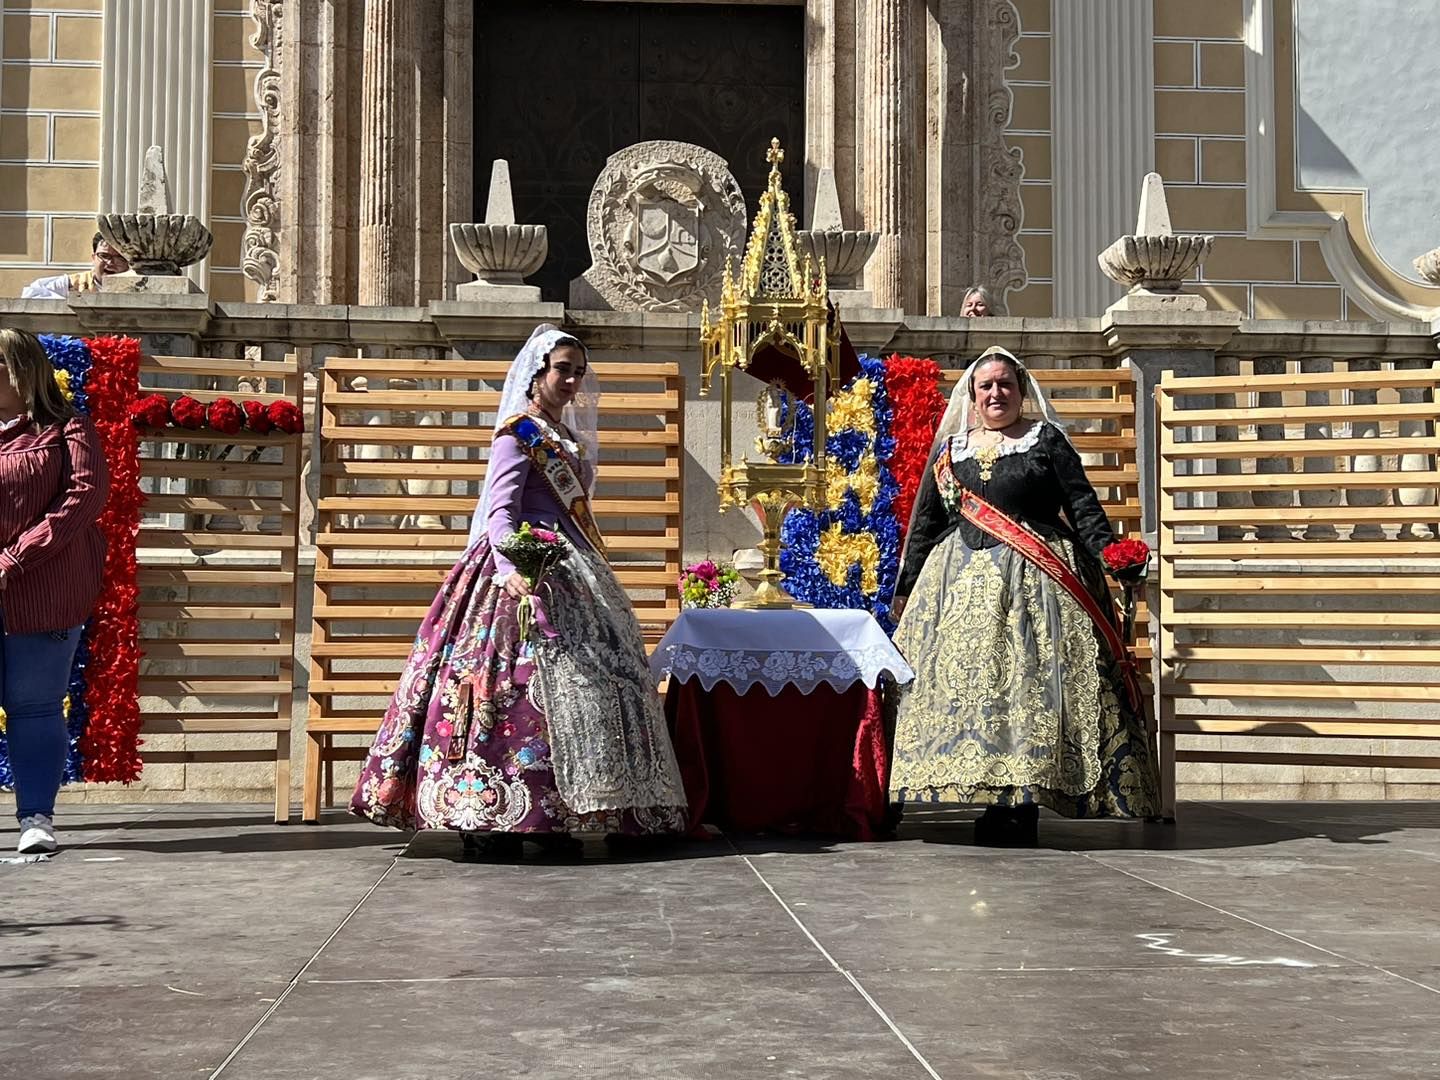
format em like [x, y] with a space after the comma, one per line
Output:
[217, 549]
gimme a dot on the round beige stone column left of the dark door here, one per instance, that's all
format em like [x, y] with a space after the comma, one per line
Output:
[388, 195]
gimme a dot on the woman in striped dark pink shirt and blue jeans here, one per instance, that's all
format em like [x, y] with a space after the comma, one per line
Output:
[53, 490]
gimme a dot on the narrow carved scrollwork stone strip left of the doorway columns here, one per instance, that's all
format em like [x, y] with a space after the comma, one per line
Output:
[260, 204]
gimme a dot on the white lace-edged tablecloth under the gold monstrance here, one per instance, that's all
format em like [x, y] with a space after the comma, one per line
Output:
[777, 649]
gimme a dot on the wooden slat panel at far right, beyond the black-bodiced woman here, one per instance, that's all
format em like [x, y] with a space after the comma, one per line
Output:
[1300, 564]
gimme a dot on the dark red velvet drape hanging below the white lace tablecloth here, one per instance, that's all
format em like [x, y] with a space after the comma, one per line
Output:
[794, 762]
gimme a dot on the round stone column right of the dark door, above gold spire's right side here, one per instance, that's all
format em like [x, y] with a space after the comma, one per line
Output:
[891, 153]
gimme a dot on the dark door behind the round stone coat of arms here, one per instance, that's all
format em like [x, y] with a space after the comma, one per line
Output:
[561, 86]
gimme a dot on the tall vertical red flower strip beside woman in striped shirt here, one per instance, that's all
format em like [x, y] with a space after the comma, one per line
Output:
[112, 741]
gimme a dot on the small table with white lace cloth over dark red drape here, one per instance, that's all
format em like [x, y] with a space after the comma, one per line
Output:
[778, 718]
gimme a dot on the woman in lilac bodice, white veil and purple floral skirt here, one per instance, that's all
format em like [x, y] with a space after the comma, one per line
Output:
[503, 734]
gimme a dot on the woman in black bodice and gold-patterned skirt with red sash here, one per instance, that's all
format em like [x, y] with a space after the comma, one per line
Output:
[1025, 695]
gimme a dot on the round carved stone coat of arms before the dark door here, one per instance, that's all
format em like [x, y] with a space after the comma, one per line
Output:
[665, 220]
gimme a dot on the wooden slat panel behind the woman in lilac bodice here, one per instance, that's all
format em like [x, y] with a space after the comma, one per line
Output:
[401, 467]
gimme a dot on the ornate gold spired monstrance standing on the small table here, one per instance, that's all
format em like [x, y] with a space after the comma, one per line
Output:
[774, 325]
